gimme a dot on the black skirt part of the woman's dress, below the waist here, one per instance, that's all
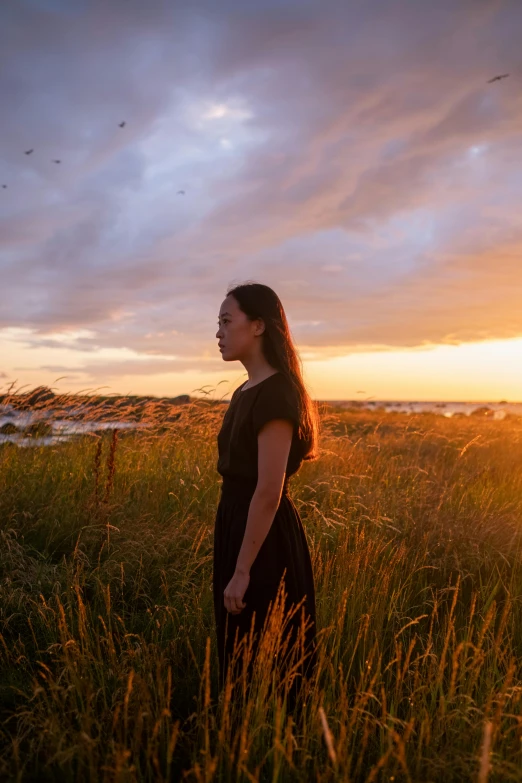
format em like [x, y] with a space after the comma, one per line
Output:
[283, 557]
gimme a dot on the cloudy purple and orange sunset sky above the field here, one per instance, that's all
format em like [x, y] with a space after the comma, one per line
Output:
[352, 155]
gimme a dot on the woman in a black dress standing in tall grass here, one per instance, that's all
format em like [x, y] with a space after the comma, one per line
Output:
[270, 426]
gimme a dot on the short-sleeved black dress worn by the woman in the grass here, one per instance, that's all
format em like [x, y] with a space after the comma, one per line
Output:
[285, 545]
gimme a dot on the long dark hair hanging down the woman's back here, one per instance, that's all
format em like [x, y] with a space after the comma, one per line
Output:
[260, 301]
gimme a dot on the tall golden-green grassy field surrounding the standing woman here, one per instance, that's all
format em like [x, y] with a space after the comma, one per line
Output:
[108, 662]
